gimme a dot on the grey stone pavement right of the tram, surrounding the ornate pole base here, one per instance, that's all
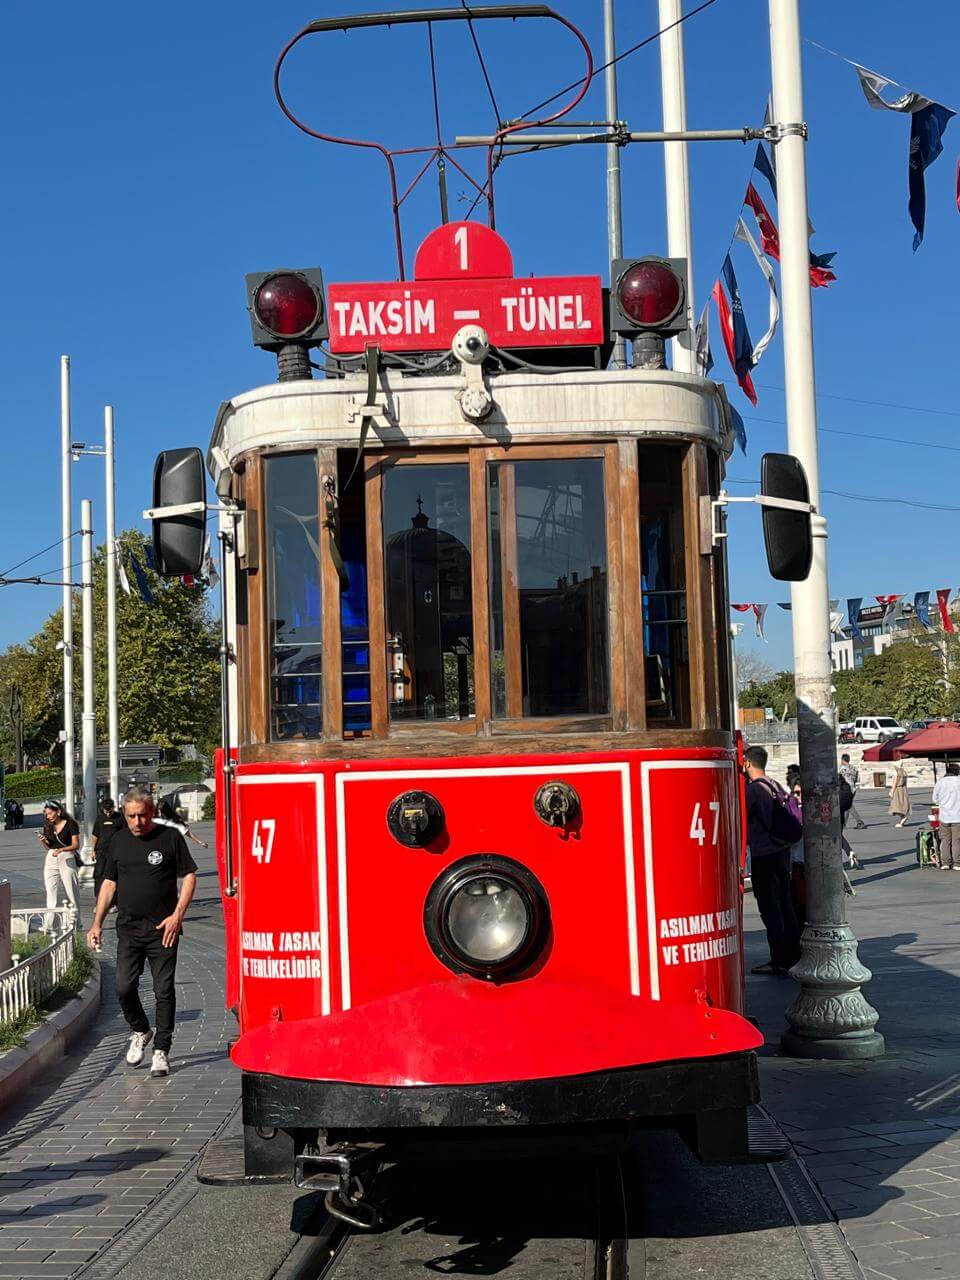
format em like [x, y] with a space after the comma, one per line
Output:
[883, 1140]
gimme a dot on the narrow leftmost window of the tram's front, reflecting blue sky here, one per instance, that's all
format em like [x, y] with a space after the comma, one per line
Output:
[294, 596]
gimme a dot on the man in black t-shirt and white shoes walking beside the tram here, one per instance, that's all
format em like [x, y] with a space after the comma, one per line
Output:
[144, 863]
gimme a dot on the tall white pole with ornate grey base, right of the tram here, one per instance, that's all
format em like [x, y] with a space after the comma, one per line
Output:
[831, 1017]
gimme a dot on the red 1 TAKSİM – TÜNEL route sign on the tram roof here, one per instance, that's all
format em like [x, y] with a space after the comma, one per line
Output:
[464, 275]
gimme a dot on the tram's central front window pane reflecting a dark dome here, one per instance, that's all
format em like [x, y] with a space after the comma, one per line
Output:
[428, 572]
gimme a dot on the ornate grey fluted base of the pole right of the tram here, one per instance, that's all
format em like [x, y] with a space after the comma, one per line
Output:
[831, 1018]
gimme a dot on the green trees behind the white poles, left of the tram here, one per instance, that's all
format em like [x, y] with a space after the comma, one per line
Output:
[168, 661]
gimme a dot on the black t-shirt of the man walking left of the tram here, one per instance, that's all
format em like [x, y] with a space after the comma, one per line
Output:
[147, 870]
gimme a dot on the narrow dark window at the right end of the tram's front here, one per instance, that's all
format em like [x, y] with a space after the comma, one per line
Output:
[664, 569]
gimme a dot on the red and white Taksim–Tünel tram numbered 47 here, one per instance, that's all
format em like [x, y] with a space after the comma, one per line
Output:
[481, 812]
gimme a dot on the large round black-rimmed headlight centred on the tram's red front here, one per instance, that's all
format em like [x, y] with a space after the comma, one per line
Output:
[487, 916]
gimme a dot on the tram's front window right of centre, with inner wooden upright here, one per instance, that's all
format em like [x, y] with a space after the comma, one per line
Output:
[548, 588]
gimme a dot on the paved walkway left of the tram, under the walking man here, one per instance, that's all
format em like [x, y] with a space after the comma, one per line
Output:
[98, 1142]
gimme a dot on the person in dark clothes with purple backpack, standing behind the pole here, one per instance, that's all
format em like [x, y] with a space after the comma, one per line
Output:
[772, 830]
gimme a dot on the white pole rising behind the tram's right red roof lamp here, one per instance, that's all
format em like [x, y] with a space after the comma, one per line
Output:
[676, 172]
